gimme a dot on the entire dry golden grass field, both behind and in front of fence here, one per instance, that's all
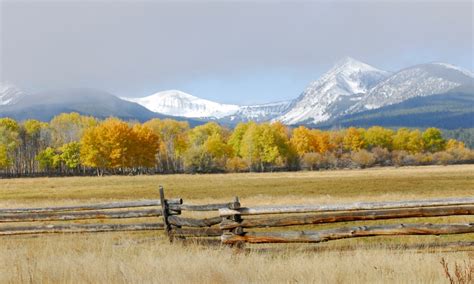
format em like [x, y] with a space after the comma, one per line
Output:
[146, 257]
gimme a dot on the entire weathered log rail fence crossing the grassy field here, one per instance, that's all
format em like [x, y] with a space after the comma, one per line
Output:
[235, 225]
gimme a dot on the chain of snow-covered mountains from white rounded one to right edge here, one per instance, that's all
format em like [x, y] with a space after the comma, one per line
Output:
[349, 87]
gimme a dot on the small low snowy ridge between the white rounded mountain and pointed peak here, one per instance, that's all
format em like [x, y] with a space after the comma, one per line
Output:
[259, 113]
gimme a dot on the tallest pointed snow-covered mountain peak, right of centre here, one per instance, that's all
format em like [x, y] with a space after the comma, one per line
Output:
[334, 93]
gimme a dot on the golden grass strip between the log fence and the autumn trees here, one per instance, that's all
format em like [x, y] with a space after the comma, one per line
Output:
[252, 188]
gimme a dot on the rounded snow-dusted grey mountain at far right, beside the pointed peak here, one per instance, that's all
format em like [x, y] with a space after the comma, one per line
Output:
[416, 81]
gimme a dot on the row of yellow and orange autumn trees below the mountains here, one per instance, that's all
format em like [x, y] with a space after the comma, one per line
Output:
[73, 144]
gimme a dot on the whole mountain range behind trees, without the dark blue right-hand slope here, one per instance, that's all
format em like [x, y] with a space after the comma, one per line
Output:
[349, 87]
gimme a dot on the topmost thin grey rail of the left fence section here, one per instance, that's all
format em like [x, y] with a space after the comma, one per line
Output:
[113, 205]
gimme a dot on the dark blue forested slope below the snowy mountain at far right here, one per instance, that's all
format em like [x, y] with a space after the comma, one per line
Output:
[451, 110]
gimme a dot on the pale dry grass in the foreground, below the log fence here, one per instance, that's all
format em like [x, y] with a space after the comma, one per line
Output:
[115, 258]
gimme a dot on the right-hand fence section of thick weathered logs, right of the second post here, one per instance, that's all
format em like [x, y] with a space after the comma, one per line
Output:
[235, 222]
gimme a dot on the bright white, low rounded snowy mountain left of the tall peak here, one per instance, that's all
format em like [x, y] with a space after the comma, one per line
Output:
[177, 103]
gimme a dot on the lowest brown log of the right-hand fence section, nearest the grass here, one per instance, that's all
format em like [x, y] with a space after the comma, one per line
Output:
[348, 232]
